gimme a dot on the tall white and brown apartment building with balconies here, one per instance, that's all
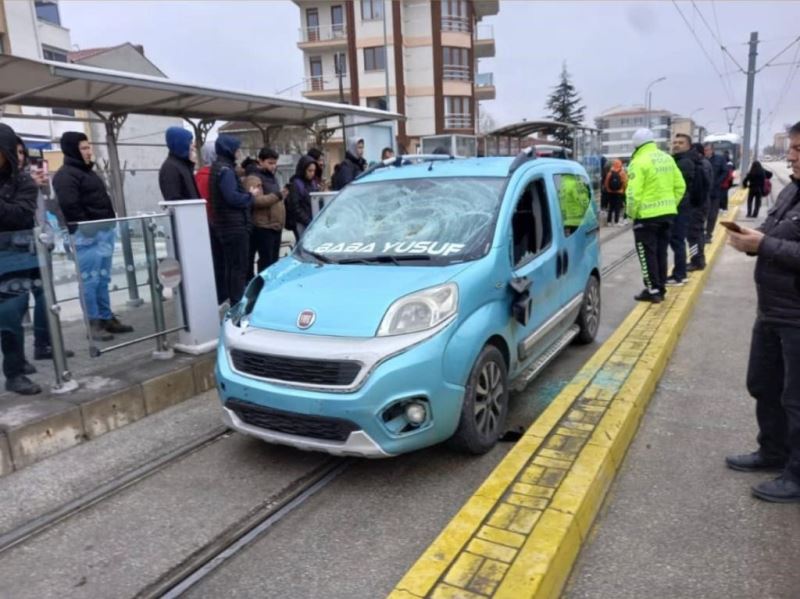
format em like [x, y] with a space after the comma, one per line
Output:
[415, 57]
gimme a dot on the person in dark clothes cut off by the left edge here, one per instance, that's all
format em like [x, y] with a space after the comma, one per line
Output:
[18, 262]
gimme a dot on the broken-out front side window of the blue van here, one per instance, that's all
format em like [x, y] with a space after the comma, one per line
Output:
[530, 224]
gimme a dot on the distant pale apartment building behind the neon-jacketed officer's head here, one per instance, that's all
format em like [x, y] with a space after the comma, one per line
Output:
[618, 125]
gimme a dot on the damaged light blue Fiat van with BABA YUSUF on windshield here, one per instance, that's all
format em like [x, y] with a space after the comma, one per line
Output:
[416, 300]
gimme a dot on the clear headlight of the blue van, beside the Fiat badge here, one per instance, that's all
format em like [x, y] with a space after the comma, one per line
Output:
[420, 311]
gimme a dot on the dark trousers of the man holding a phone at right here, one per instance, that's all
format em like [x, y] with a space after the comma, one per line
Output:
[773, 379]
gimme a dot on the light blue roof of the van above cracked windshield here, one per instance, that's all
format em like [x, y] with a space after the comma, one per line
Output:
[495, 166]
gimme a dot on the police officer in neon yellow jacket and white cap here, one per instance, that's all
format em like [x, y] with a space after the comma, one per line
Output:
[655, 186]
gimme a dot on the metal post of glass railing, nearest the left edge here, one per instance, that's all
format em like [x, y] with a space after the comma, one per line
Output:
[44, 245]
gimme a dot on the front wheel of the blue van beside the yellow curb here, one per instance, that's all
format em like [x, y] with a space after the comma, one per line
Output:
[485, 406]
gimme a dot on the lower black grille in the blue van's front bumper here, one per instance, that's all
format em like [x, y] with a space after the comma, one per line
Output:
[292, 423]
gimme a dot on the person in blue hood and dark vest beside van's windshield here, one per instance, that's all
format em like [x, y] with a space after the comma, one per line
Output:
[232, 207]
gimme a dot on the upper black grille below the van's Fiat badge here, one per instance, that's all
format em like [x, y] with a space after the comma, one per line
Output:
[296, 370]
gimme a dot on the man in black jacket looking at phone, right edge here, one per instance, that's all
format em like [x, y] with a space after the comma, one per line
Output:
[773, 376]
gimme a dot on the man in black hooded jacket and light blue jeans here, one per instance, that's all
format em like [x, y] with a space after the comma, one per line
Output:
[83, 197]
